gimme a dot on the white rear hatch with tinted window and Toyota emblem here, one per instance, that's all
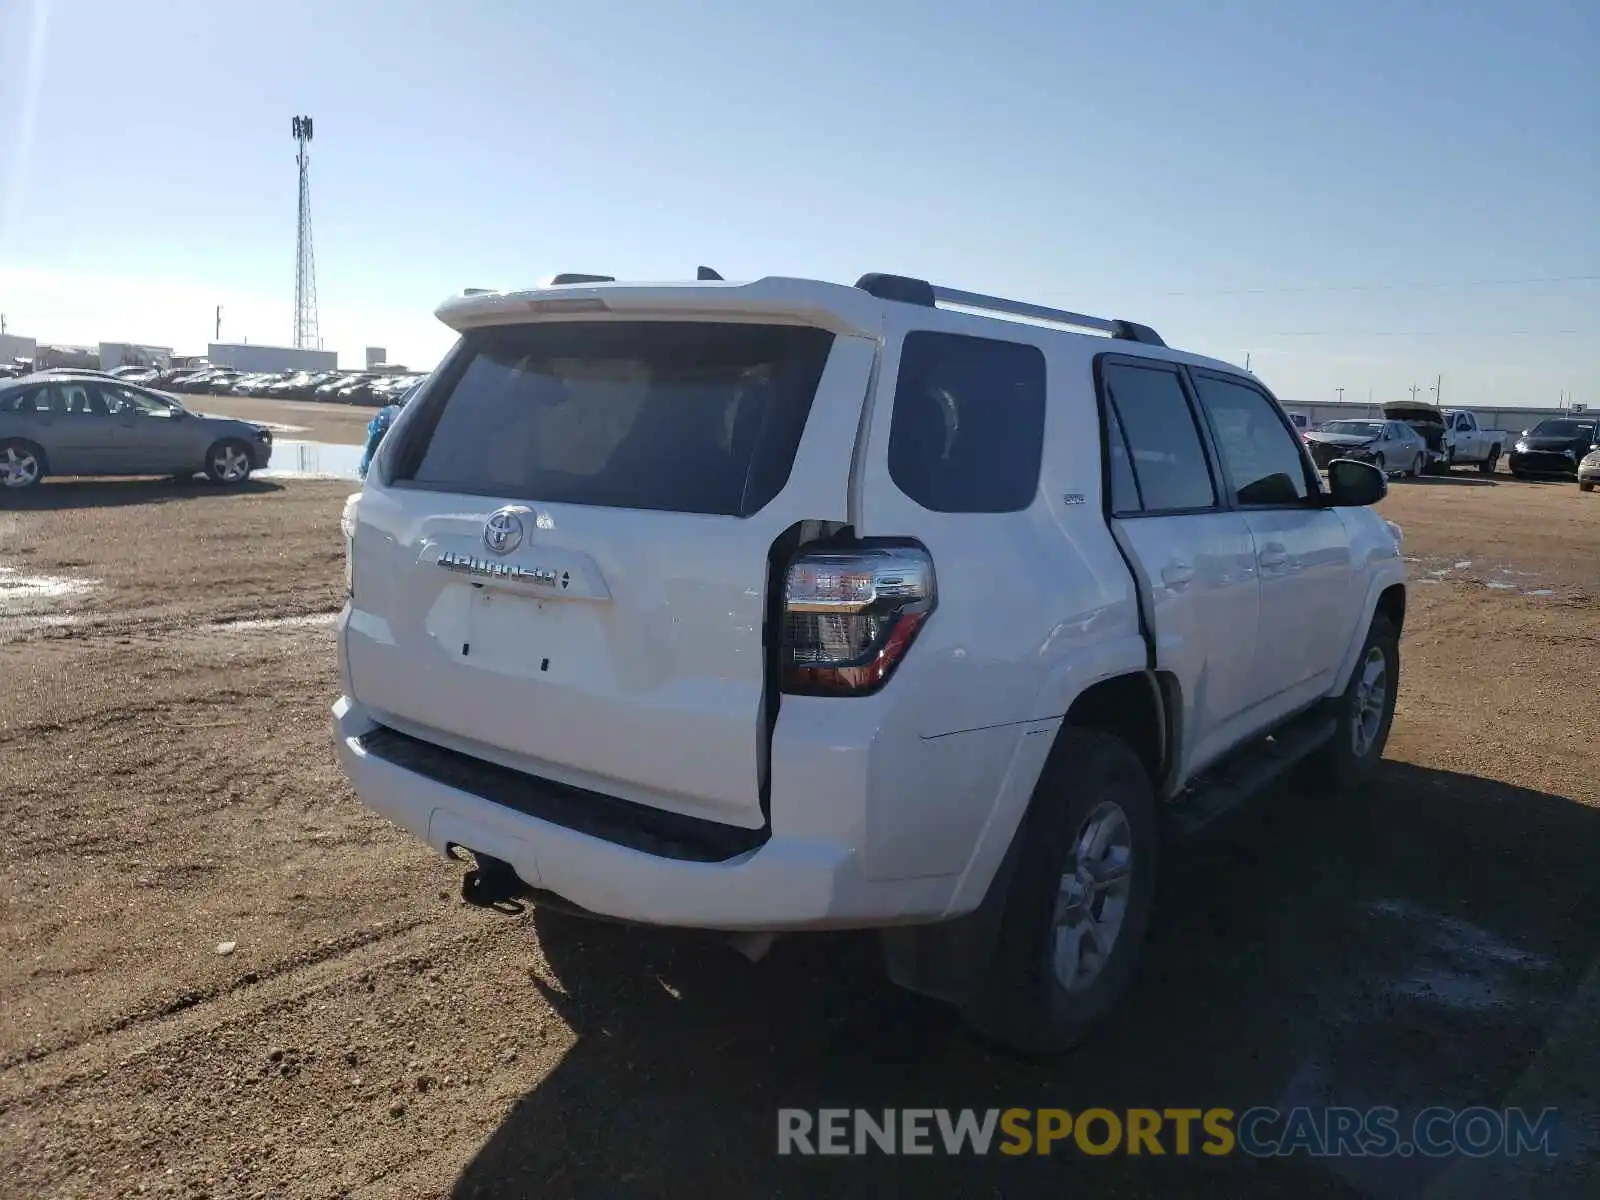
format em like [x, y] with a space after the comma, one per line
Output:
[562, 559]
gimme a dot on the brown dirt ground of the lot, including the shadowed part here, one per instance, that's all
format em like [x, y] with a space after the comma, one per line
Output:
[222, 977]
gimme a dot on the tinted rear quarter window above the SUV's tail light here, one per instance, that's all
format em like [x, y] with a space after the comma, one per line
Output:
[969, 426]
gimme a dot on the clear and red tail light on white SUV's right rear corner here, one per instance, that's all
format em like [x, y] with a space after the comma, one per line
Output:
[850, 617]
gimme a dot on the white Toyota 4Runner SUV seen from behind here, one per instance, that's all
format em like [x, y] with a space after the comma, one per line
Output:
[793, 606]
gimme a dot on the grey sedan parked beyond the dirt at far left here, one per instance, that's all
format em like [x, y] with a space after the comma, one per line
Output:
[86, 425]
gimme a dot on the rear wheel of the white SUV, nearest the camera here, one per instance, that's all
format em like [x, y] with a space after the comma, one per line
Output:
[1095, 793]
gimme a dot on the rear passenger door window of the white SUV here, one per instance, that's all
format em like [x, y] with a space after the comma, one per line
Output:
[1161, 438]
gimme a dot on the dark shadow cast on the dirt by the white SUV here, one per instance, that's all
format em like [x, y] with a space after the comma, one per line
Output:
[1409, 945]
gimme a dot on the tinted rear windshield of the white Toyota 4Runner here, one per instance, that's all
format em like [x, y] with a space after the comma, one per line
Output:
[687, 417]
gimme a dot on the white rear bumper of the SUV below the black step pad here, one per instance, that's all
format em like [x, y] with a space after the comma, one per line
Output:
[785, 884]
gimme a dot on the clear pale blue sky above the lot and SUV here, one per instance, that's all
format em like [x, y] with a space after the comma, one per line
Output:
[1356, 194]
